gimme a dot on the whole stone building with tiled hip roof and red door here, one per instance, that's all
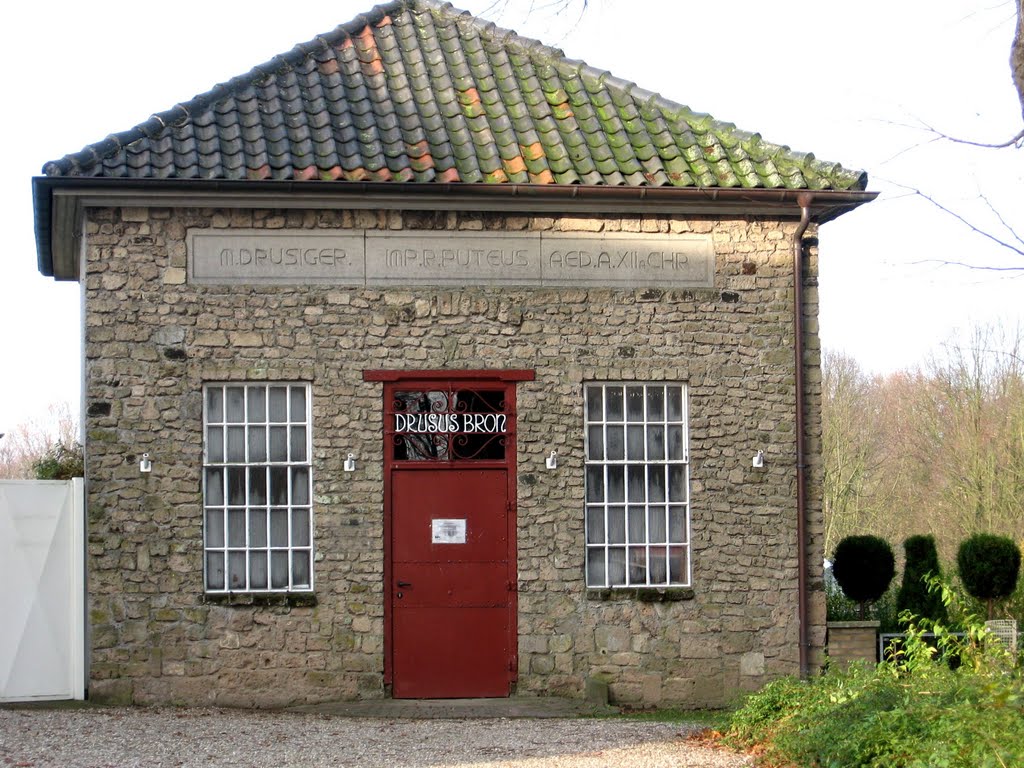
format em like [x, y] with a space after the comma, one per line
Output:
[425, 362]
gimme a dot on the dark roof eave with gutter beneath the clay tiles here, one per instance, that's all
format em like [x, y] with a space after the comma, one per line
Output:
[60, 201]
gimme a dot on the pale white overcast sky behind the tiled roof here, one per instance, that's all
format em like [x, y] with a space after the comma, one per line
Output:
[855, 83]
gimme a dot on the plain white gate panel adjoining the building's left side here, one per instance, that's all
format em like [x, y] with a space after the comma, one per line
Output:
[42, 590]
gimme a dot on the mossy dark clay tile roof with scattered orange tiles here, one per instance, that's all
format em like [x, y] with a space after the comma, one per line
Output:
[416, 91]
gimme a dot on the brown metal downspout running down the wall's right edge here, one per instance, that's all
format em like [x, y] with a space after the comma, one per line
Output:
[804, 201]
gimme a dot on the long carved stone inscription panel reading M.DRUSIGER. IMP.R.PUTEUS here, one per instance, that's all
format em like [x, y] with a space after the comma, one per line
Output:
[360, 258]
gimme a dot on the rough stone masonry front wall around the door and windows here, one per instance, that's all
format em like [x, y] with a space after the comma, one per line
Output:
[153, 339]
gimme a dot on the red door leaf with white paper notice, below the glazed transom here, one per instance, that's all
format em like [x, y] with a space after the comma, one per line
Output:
[451, 594]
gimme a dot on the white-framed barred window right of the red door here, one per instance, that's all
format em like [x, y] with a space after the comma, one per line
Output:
[637, 485]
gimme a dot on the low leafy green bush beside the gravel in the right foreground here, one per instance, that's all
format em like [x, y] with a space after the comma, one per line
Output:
[914, 712]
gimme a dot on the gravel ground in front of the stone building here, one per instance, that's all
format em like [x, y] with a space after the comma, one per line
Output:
[124, 738]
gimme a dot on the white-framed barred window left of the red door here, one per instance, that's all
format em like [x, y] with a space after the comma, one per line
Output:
[258, 485]
